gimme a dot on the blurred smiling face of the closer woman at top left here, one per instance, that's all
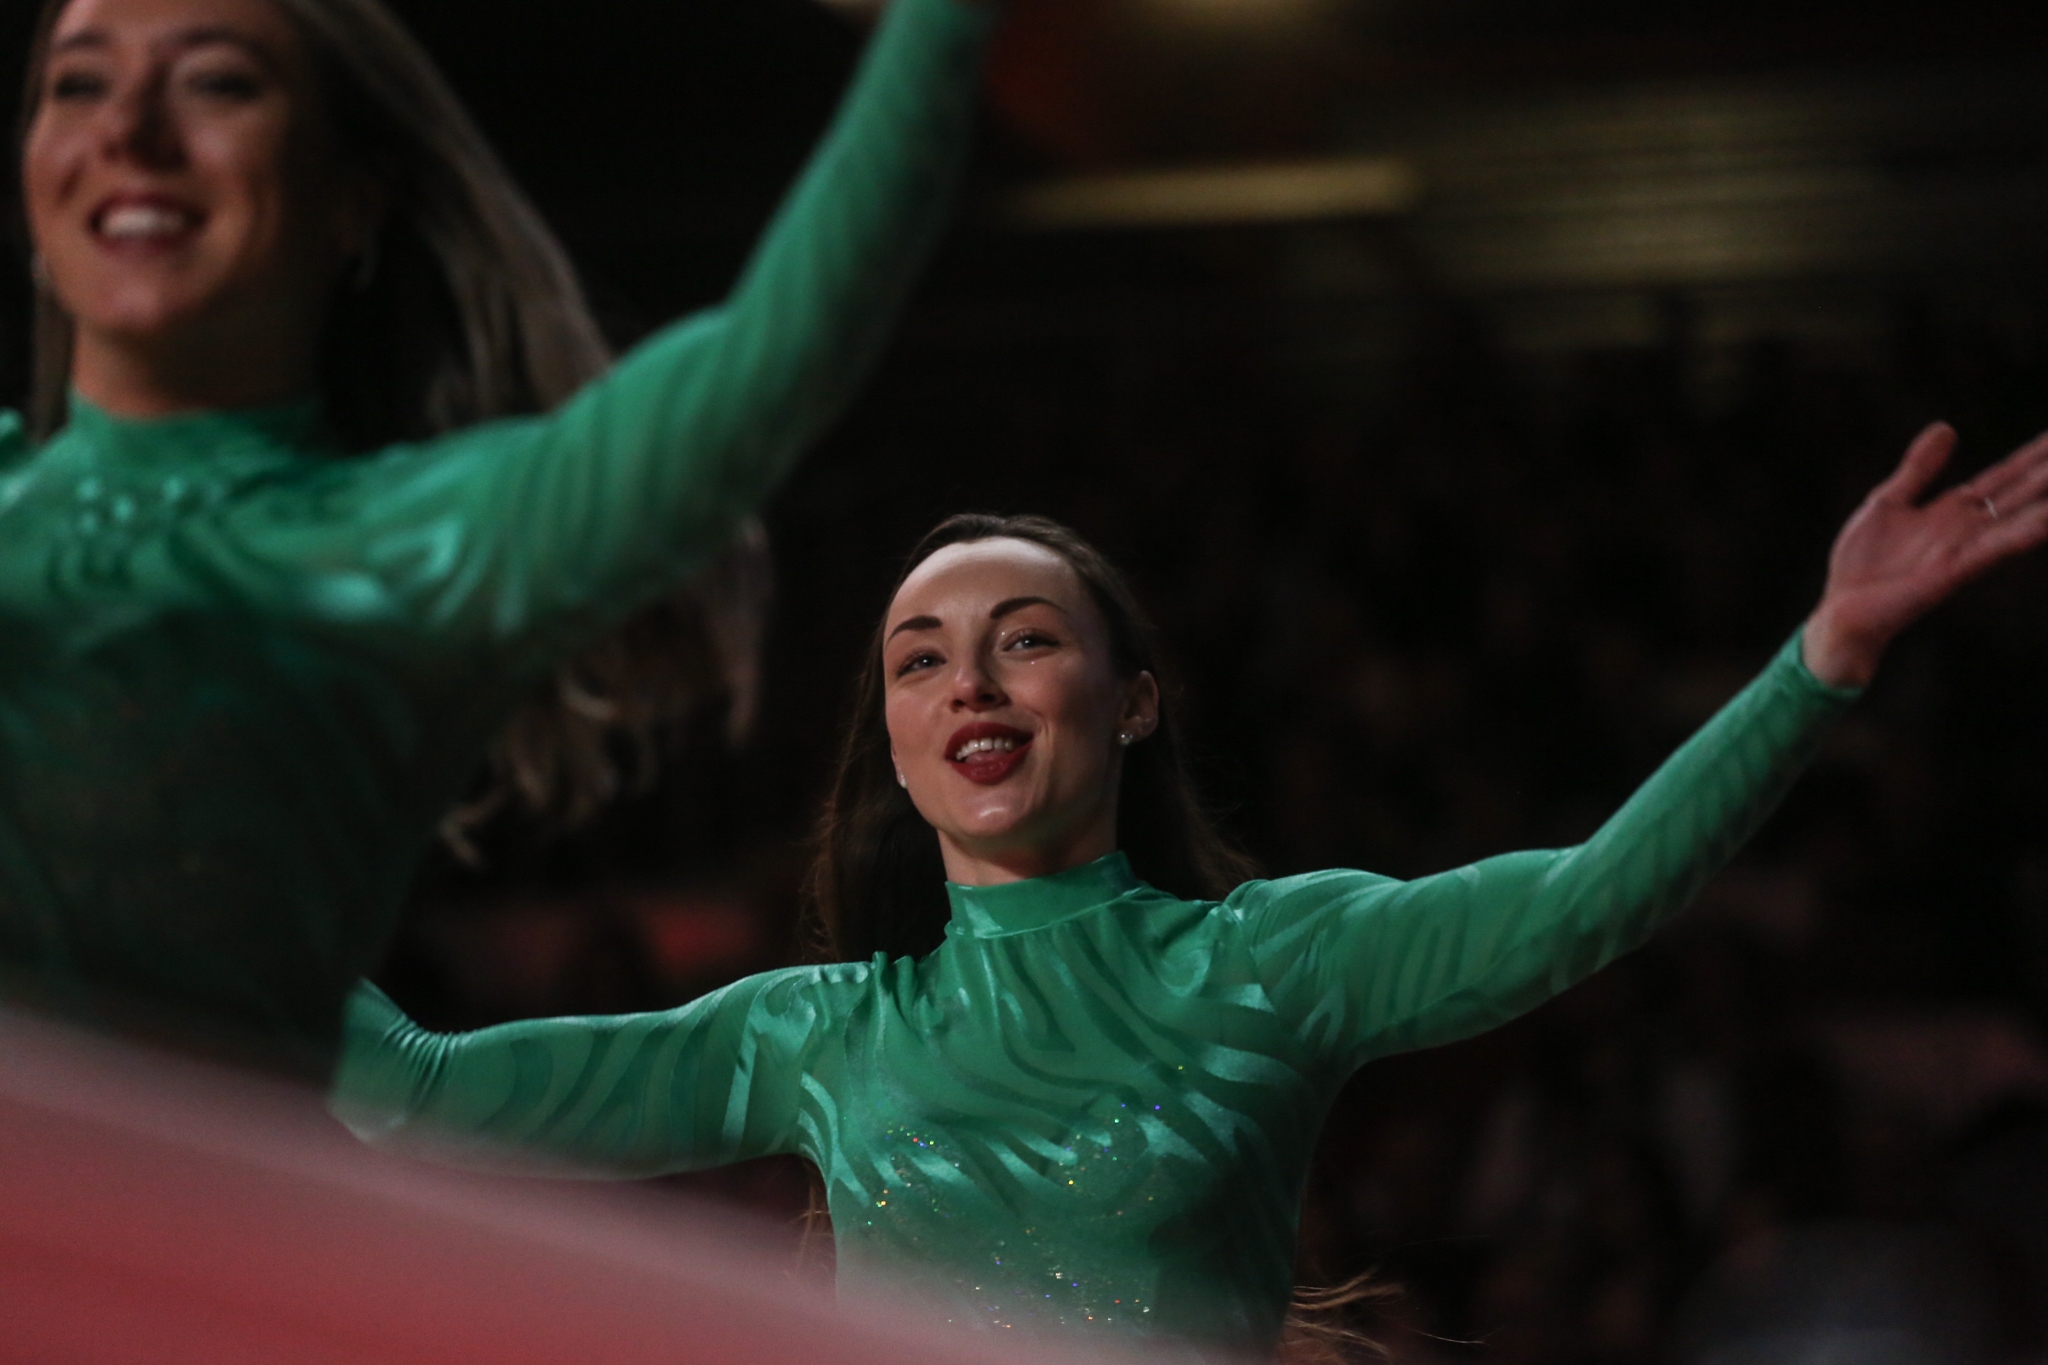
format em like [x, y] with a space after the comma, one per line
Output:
[183, 193]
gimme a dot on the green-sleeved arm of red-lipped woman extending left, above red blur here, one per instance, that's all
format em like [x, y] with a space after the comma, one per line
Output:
[628, 1096]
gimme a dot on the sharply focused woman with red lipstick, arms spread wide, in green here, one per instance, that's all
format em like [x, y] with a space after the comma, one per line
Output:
[1082, 1086]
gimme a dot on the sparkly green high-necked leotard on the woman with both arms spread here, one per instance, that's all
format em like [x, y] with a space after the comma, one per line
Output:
[1095, 1104]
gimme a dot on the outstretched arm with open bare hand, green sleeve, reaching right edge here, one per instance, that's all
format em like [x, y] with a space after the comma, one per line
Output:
[1371, 967]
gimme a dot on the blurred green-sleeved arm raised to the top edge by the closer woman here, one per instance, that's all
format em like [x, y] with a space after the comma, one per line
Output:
[548, 529]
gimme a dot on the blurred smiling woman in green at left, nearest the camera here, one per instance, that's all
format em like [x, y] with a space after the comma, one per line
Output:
[327, 482]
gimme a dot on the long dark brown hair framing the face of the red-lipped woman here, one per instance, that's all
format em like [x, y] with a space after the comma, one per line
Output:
[878, 881]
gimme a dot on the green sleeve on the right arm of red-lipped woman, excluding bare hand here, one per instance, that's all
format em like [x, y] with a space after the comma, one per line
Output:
[1369, 967]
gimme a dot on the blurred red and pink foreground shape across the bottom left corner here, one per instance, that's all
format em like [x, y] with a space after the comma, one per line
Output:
[155, 1208]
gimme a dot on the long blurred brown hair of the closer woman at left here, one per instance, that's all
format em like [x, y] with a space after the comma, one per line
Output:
[464, 312]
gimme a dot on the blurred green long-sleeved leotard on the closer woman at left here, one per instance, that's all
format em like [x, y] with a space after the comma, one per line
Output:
[243, 676]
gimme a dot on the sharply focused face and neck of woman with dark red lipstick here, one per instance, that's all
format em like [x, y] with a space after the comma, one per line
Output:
[1007, 711]
